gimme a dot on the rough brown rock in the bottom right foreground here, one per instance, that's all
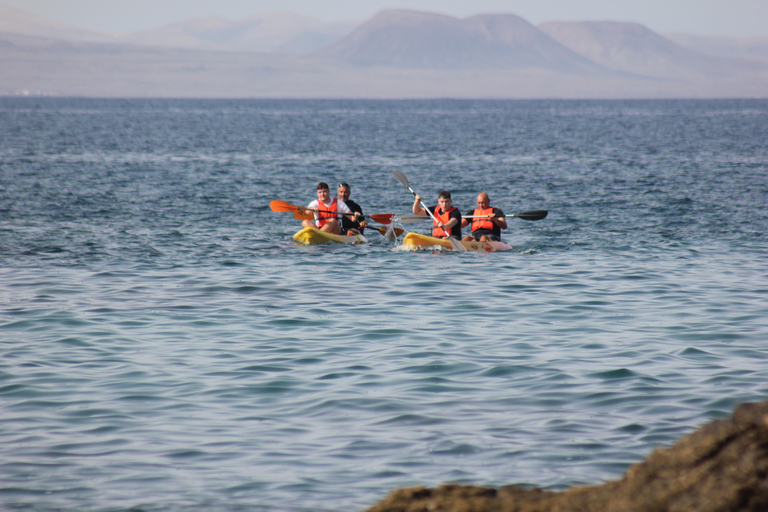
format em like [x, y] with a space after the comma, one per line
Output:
[722, 467]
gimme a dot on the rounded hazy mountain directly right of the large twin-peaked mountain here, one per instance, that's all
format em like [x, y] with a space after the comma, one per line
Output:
[636, 49]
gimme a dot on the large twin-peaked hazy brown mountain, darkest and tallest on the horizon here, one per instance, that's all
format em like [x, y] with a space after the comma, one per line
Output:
[419, 40]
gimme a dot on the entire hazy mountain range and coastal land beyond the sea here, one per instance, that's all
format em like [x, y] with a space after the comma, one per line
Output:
[395, 54]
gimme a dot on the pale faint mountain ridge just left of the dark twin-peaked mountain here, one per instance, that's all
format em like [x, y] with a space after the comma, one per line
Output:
[276, 32]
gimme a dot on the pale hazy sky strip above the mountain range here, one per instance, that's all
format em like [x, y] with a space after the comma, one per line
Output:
[705, 17]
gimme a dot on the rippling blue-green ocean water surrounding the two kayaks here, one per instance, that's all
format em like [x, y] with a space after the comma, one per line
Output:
[165, 346]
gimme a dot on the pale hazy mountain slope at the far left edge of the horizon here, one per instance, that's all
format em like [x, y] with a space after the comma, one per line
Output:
[15, 21]
